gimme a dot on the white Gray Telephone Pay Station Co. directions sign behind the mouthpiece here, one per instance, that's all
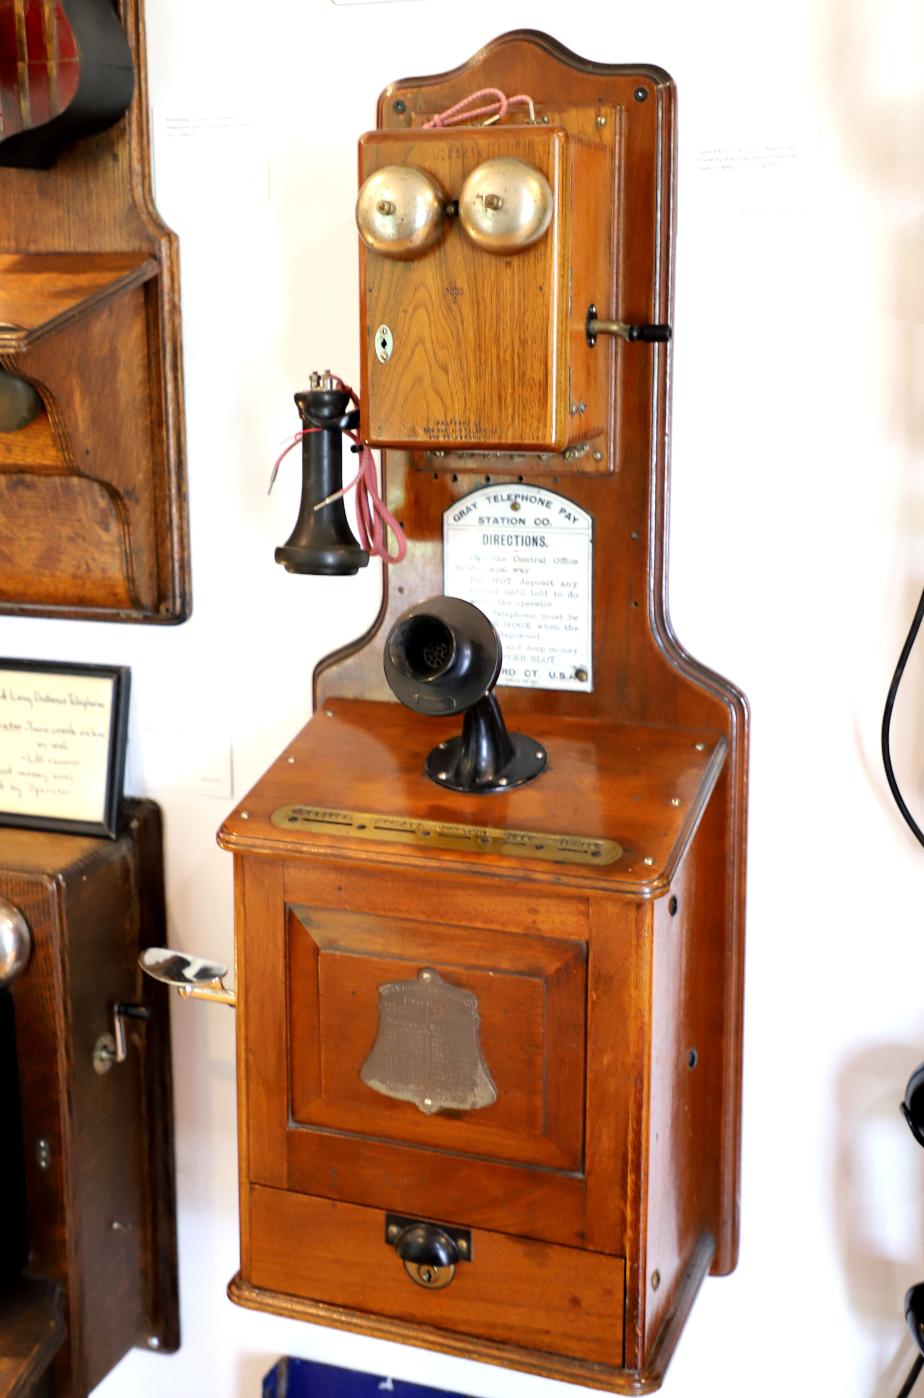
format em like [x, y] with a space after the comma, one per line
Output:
[525, 557]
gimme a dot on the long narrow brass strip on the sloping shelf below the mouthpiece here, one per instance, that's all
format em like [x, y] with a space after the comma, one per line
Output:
[479, 839]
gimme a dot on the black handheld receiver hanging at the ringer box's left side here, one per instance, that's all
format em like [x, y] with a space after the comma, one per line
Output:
[322, 540]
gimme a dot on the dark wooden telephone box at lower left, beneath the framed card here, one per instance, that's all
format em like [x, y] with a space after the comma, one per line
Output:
[100, 1193]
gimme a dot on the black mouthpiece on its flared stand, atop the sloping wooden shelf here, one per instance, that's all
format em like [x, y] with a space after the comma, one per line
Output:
[444, 656]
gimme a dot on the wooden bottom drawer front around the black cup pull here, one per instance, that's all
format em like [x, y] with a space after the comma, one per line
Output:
[533, 1295]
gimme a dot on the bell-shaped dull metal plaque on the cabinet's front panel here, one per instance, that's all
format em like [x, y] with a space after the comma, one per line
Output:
[428, 1051]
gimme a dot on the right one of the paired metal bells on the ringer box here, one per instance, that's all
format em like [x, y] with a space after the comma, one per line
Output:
[505, 205]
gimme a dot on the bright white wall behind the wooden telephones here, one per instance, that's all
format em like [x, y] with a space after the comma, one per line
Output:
[797, 557]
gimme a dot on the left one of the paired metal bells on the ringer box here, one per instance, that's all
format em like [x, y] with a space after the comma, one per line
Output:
[400, 212]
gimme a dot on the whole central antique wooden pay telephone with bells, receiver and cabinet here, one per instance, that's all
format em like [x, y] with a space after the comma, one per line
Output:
[489, 988]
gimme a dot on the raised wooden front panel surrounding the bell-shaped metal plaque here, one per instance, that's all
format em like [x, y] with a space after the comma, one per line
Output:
[528, 1038]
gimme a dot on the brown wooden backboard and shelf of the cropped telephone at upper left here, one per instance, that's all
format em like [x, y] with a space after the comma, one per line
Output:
[90, 317]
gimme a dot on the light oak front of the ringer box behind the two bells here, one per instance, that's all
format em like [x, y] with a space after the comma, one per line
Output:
[480, 340]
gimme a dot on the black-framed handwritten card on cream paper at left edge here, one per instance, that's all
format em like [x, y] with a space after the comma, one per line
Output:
[64, 735]
